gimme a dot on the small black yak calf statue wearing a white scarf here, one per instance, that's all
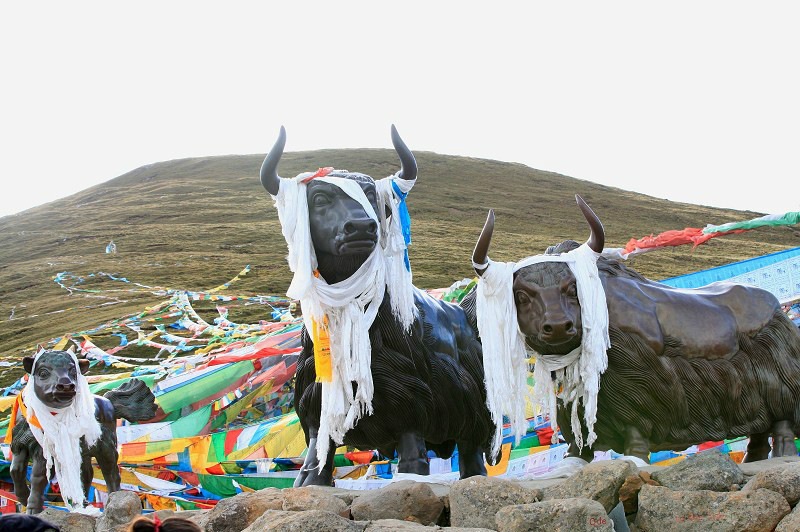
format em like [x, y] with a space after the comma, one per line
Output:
[59, 389]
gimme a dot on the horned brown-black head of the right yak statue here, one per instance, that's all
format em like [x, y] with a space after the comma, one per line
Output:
[545, 294]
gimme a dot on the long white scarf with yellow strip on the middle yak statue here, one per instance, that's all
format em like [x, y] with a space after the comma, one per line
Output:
[342, 313]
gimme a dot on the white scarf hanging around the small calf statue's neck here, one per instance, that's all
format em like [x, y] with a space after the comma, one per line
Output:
[60, 434]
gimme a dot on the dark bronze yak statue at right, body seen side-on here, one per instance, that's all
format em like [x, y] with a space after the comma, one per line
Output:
[684, 366]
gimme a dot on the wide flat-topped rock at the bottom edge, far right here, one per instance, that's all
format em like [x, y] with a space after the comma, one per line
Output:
[664, 510]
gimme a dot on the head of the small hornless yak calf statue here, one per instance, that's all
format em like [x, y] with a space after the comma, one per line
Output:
[56, 379]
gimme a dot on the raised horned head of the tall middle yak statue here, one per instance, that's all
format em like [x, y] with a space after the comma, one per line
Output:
[342, 232]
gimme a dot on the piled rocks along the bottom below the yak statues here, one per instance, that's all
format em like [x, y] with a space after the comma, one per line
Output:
[707, 492]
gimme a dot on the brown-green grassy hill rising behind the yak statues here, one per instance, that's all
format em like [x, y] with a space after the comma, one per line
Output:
[195, 223]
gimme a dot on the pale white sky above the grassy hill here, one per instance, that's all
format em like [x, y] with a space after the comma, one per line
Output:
[692, 101]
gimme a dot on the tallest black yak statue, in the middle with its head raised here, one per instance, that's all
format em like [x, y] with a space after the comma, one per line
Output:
[427, 378]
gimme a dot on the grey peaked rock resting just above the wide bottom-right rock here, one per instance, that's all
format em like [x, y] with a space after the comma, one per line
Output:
[708, 470]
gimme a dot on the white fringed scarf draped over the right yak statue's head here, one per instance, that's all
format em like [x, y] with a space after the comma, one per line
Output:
[505, 351]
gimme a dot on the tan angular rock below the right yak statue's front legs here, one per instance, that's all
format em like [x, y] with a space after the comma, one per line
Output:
[598, 481]
